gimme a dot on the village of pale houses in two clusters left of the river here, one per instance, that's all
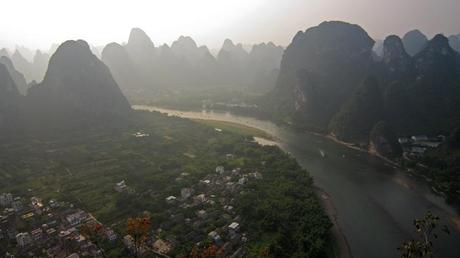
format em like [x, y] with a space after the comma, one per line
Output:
[201, 214]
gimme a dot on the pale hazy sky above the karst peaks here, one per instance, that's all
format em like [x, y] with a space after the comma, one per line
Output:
[38, 23]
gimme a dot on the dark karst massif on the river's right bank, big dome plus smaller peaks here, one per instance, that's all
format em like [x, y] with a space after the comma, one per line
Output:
[330, 79]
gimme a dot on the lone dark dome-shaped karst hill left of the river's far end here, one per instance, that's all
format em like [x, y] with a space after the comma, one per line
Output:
[76, 87]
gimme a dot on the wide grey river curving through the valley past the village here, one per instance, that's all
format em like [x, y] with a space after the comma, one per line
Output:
[375, 202]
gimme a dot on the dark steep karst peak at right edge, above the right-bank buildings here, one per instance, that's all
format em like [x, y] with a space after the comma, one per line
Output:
[435, 93]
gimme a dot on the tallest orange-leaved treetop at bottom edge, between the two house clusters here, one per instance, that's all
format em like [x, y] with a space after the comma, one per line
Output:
[138, 229]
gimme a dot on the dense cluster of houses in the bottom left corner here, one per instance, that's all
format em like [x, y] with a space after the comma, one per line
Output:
[36, 229]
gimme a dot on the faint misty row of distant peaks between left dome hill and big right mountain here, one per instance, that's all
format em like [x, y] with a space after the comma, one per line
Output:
[184, 64]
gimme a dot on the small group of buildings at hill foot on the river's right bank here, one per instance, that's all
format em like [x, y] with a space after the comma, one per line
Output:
[415, 146]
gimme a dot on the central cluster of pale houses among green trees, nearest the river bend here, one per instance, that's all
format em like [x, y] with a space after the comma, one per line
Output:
[204, 213]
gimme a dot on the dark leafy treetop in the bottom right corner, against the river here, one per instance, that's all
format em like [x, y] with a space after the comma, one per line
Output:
[422, 246]
